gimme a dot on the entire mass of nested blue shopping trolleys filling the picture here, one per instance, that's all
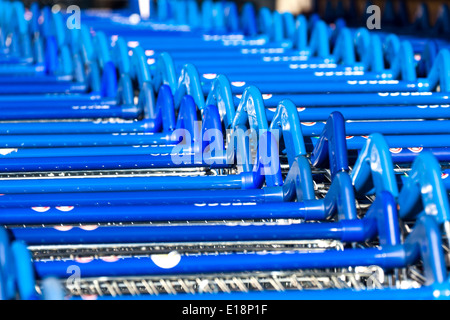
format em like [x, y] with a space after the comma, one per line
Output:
[217, 152]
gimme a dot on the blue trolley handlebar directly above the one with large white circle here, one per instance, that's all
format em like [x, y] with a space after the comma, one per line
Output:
[351, 231]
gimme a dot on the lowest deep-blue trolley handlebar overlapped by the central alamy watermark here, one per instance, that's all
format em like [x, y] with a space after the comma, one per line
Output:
[99, 163]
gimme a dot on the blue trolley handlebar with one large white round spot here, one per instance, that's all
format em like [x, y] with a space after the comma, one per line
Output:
[393, 257]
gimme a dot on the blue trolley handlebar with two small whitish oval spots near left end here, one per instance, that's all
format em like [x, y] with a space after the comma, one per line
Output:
[86, 215]
